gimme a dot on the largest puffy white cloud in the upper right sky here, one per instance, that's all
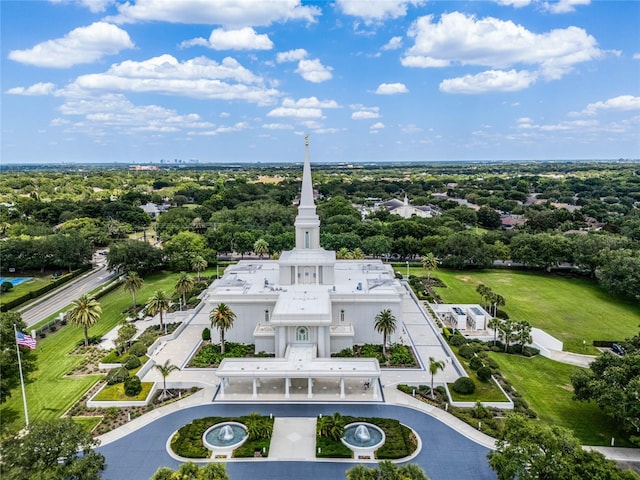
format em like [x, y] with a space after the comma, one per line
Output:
[465, 40]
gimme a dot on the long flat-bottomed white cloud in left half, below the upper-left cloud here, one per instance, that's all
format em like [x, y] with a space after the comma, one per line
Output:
[199, 77]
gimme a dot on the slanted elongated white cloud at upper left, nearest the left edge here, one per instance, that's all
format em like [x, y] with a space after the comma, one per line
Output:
[81, 45]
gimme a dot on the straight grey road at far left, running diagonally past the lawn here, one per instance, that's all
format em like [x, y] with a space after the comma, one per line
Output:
[41, 308]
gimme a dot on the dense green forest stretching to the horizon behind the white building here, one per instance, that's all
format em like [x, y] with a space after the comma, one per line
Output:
[576, 215]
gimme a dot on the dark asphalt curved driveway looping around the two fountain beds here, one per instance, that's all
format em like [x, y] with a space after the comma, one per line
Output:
[445, 453]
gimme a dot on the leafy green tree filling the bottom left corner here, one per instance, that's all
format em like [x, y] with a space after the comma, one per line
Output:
[55, 449]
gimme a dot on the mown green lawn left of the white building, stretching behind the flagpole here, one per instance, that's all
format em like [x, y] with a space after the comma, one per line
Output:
[51, 392]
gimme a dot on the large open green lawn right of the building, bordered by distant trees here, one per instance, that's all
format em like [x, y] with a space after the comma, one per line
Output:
[572, 310]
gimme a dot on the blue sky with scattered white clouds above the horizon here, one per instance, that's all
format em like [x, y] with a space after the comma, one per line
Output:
[368, 80]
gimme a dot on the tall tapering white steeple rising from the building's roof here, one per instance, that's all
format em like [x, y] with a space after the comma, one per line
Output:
[307, 222]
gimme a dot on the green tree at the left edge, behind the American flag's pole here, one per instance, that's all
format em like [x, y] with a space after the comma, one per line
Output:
[10, 377]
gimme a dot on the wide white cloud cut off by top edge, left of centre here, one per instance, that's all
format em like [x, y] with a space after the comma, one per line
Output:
[234, 13]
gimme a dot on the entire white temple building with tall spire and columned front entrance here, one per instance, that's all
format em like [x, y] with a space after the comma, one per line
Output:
[304, 307]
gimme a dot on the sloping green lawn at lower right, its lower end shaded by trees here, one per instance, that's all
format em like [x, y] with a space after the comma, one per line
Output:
[546, 387]
